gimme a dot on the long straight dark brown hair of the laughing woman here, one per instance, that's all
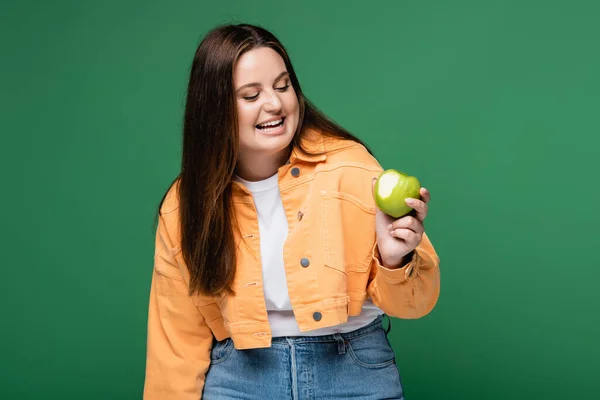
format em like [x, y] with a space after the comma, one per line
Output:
[210, 152]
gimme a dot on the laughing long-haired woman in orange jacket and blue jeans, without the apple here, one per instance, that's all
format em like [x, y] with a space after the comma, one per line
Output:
[273, 267]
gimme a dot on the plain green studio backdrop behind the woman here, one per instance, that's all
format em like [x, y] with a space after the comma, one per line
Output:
[494, 105]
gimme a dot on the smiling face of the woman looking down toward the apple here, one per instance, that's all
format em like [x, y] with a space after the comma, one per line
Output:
[267, 105]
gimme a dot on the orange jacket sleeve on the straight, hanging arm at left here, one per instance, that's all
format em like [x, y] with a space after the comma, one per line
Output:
[178, 339]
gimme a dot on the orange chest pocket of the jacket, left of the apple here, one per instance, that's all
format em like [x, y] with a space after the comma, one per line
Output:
[348, 231]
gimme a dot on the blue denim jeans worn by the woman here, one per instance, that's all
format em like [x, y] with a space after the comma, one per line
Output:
[355, 365]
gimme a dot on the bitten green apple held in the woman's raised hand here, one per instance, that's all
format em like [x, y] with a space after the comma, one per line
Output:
[392, 189]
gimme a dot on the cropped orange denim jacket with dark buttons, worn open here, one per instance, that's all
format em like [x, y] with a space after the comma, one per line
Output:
[331, 261]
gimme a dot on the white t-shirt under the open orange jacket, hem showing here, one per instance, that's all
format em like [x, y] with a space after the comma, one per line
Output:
[273, 227]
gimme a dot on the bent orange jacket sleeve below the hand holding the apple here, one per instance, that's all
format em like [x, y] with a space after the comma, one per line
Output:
[411, 291]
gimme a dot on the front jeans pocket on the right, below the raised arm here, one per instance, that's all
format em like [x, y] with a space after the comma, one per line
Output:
[371, 350]
